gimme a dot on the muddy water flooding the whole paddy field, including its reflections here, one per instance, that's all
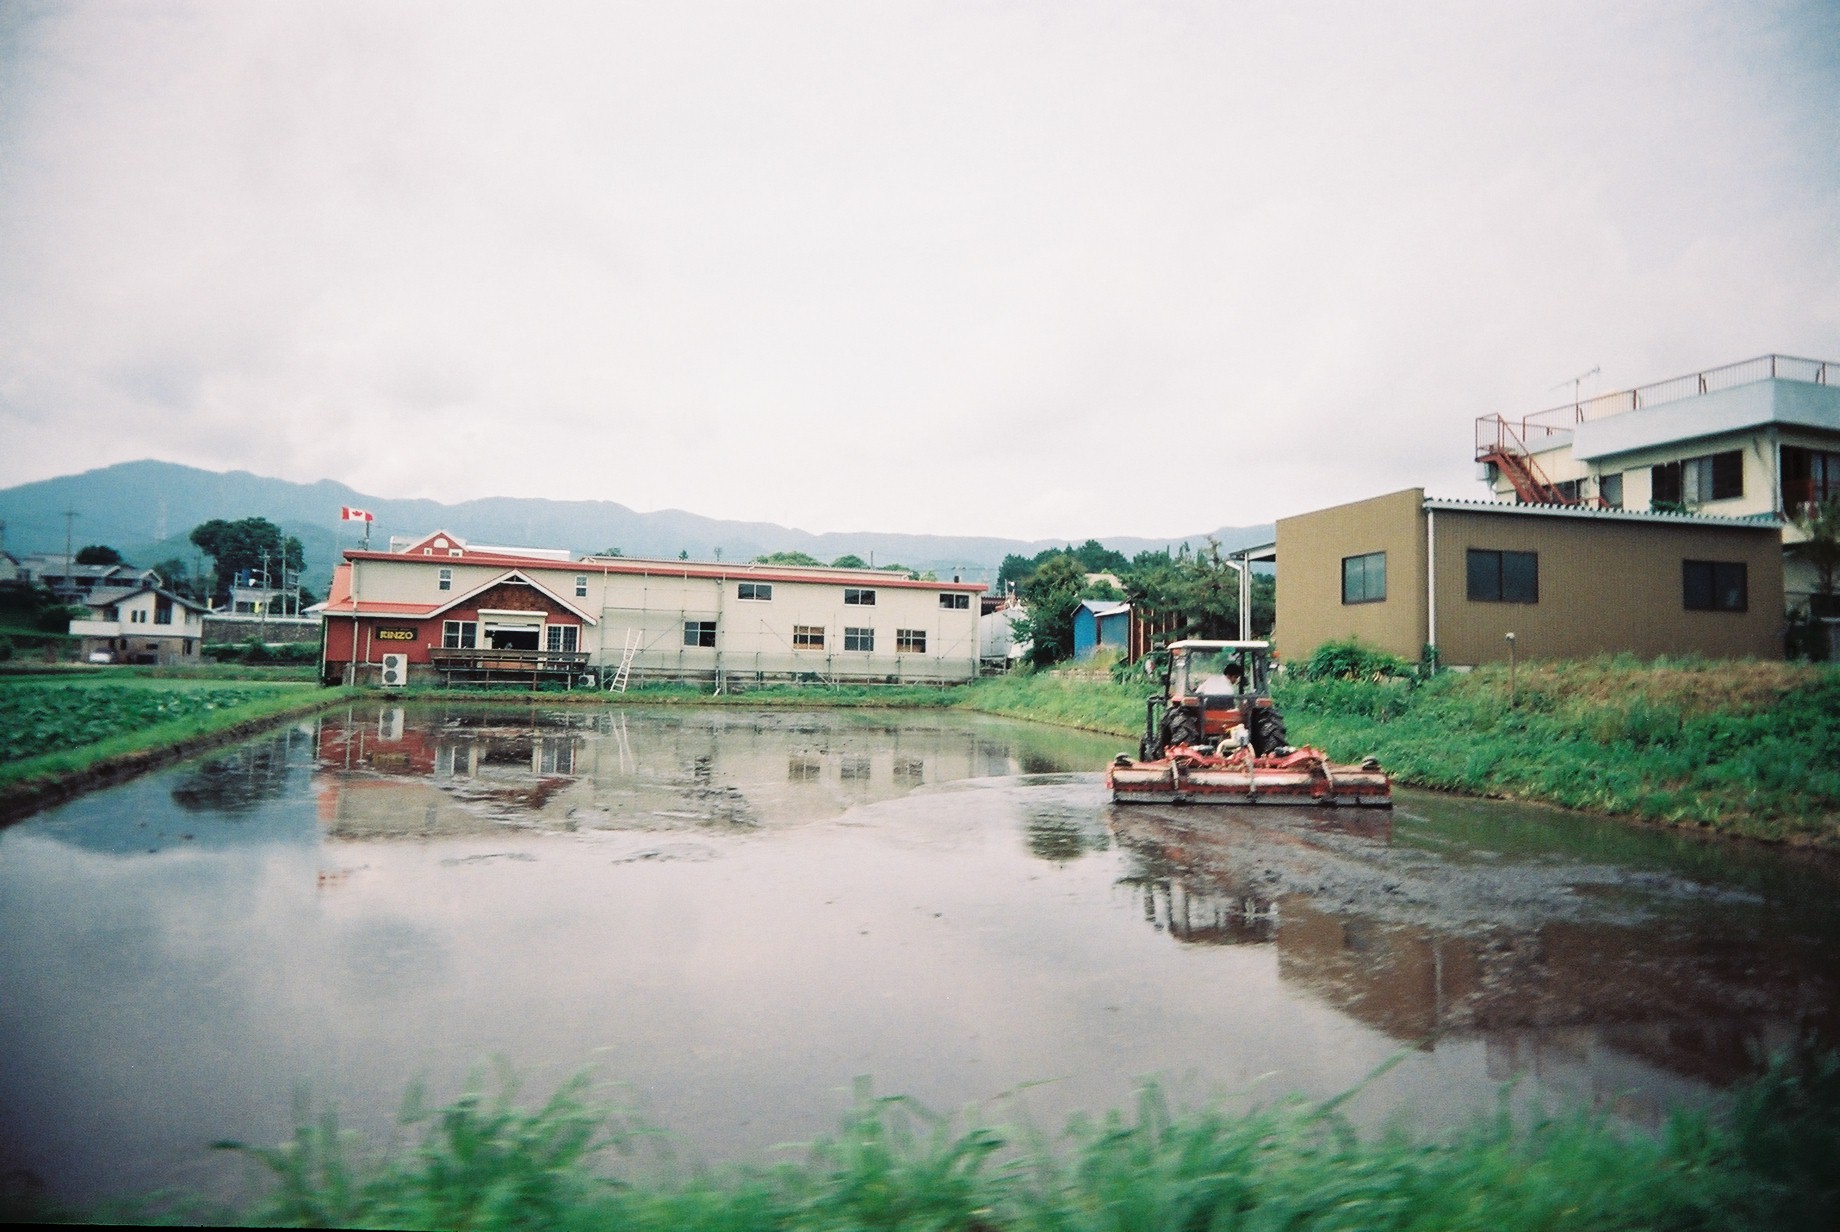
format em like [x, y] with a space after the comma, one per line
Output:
[733, 915]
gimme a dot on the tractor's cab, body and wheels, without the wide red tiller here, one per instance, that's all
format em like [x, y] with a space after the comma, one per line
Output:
[1213, 692]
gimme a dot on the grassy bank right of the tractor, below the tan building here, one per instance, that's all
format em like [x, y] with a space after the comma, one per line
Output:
[1742, 747]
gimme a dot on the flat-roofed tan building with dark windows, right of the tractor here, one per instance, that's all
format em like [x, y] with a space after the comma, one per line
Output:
[1403, 573]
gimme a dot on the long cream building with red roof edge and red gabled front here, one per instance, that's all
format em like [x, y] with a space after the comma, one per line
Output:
[457, 611]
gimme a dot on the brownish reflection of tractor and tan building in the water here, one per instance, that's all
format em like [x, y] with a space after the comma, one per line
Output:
[1593, 1007]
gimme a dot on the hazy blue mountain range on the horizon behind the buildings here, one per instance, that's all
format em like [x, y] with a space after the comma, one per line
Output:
[148, 510]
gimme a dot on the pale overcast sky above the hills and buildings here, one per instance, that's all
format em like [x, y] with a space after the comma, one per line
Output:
[1037, 269]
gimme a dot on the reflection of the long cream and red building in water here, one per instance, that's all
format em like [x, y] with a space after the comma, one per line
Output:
[406, 771]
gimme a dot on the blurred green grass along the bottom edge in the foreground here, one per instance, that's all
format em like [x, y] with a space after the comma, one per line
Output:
[1765, 1161]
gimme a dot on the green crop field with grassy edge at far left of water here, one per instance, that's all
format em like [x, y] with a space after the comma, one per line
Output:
[60, 733]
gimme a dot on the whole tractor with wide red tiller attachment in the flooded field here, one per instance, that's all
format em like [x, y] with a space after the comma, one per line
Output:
[1215, 738]
